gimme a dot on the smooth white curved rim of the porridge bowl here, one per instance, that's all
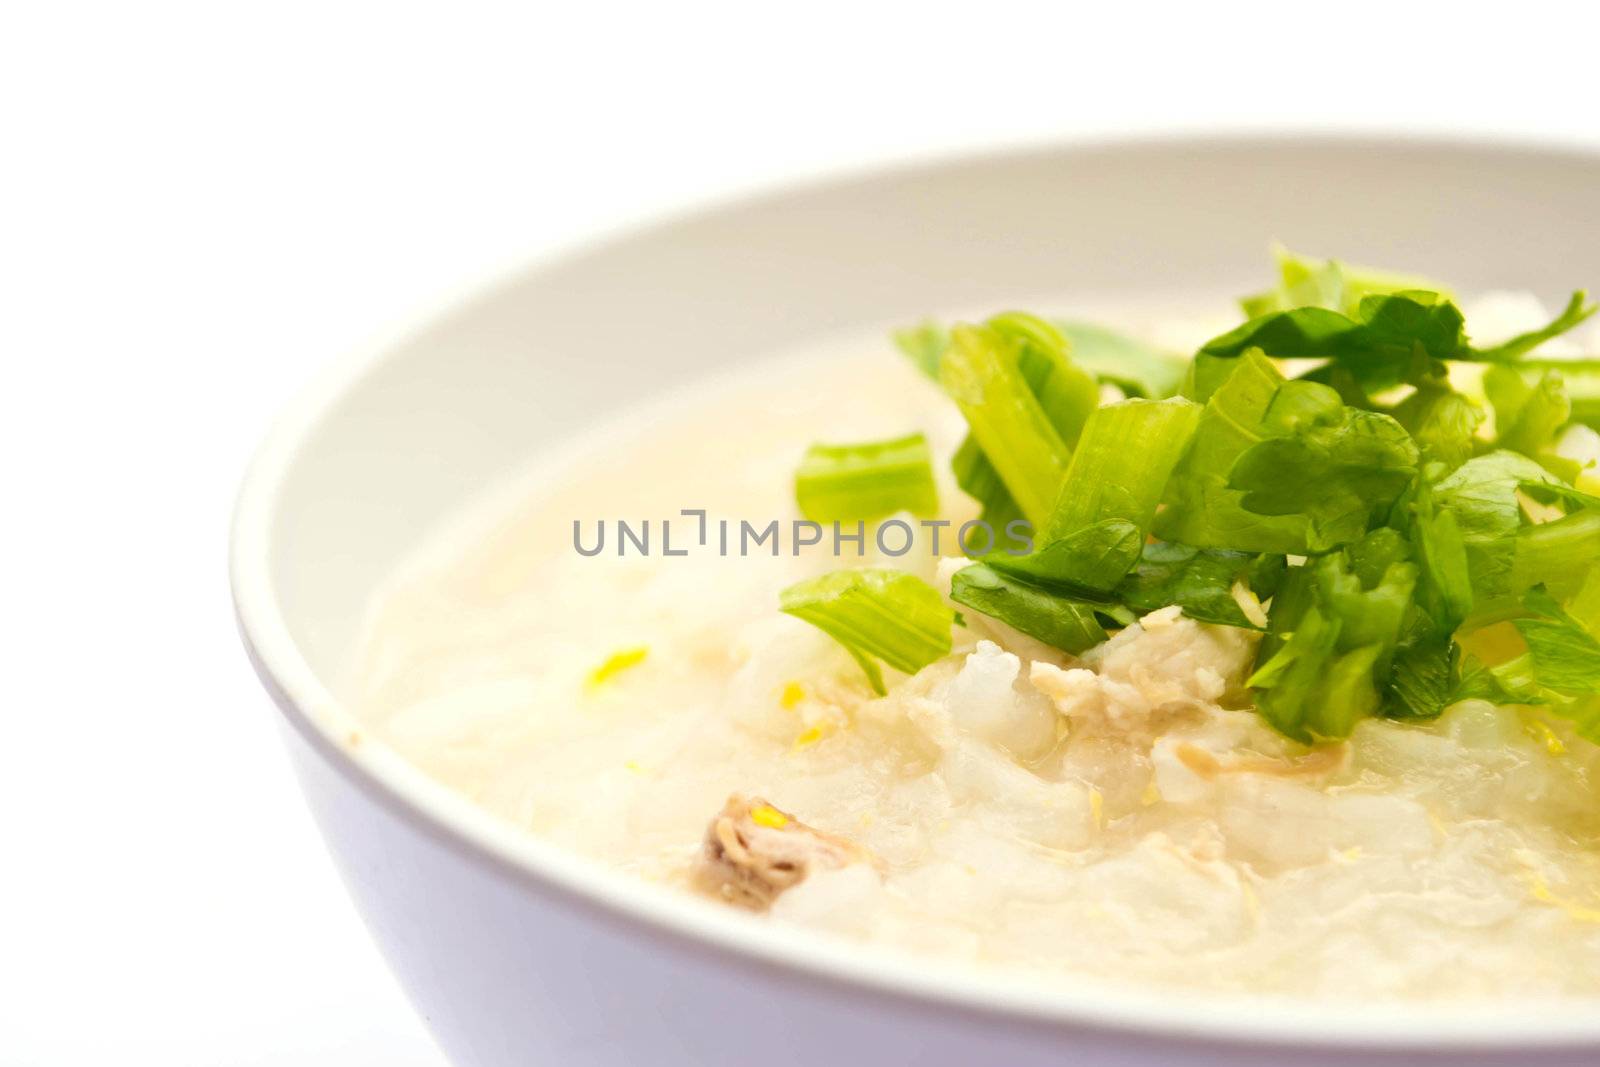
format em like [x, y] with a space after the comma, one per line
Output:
[735, 940]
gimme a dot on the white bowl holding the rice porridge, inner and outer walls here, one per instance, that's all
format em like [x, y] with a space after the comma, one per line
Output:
[521, 954]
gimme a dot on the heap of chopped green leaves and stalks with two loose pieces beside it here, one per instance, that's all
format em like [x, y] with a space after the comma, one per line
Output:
[1361, 505]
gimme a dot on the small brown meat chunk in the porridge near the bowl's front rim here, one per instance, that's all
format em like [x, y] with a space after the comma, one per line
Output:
[754, 852]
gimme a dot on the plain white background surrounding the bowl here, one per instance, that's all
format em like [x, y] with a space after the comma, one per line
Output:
[201, 204]
